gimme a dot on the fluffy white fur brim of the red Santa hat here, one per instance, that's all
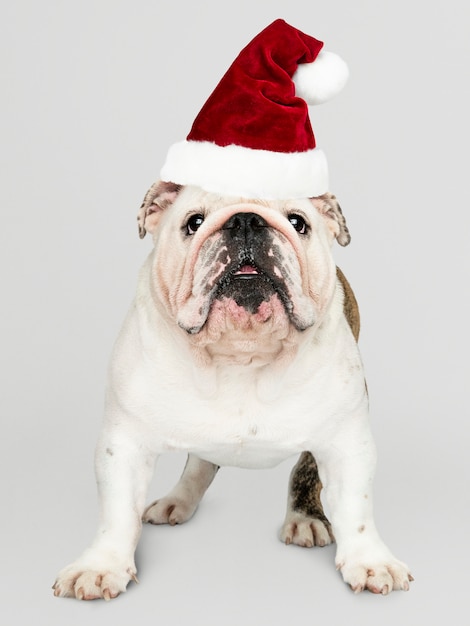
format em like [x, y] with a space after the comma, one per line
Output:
[238, 171]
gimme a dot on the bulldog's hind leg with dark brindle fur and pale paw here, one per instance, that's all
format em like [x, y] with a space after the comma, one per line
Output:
[305, 524]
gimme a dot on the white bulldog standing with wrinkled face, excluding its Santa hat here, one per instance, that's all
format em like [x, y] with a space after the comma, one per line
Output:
[240, 349]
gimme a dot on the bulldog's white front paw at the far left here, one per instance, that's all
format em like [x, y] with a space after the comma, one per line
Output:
[86, 580]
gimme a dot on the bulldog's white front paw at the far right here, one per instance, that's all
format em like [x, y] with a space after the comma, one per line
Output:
[376, 575]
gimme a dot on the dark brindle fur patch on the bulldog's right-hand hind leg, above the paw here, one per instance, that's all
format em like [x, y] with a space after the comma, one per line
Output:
[305, 488]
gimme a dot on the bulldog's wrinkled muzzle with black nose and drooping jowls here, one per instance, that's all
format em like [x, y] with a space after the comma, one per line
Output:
[247, 262]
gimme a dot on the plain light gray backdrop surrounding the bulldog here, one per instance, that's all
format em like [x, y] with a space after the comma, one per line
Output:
[93, 94]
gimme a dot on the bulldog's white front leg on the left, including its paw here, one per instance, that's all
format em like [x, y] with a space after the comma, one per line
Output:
[124, 467]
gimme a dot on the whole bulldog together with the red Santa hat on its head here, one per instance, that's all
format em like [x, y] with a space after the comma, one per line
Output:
[241, 305]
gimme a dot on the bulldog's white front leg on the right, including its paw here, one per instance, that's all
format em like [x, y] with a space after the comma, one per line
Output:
[346, 469]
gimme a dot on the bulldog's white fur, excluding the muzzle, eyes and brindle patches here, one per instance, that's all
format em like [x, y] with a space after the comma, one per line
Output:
[164, 396]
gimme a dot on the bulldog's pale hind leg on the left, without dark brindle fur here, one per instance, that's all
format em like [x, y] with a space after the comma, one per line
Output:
[182, 501]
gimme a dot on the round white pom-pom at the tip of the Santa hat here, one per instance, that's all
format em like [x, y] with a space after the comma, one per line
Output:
[319, 81]
